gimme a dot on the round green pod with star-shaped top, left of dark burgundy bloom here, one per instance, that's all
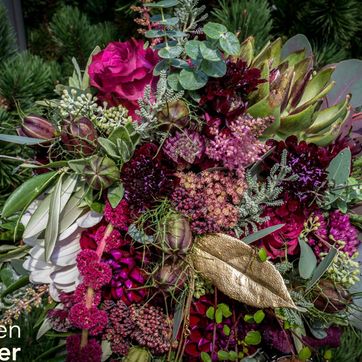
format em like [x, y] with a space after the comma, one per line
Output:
[101, 172]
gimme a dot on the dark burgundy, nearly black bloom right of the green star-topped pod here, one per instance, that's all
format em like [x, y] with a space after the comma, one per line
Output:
[146, 177]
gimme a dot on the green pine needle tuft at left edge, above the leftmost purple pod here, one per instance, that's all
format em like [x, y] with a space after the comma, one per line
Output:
[24, 79]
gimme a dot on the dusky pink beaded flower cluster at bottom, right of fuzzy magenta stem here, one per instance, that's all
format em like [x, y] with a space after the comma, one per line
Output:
[145, 325]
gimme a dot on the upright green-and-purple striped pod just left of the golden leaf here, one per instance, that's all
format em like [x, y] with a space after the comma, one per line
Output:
[177, 236]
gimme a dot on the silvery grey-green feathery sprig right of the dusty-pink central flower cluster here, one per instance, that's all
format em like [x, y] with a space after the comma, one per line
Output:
[258, 196]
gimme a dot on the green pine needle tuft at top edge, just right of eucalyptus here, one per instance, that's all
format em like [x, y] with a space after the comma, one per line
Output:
[246, 17]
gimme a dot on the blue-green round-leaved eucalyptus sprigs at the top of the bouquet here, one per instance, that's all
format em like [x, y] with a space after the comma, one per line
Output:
[189, 61]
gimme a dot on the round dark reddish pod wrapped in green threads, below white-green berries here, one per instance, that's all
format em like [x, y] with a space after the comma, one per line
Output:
[79, 136]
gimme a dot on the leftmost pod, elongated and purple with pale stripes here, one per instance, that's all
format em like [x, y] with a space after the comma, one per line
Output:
[37, 127]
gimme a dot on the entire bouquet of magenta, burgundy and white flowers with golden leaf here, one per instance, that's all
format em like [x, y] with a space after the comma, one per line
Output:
[191, 199]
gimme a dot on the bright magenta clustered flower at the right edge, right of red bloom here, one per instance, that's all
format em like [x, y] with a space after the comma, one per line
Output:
[336, 229]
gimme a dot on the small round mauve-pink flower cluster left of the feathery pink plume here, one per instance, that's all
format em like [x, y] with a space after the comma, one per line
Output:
[185, 146]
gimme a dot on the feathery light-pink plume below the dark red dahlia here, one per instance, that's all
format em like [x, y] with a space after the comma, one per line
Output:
[237, 145]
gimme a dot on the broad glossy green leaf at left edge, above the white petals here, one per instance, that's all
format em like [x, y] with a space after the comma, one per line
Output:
[27, 192]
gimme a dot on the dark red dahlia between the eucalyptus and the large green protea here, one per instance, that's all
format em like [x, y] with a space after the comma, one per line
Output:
[226, 96]
